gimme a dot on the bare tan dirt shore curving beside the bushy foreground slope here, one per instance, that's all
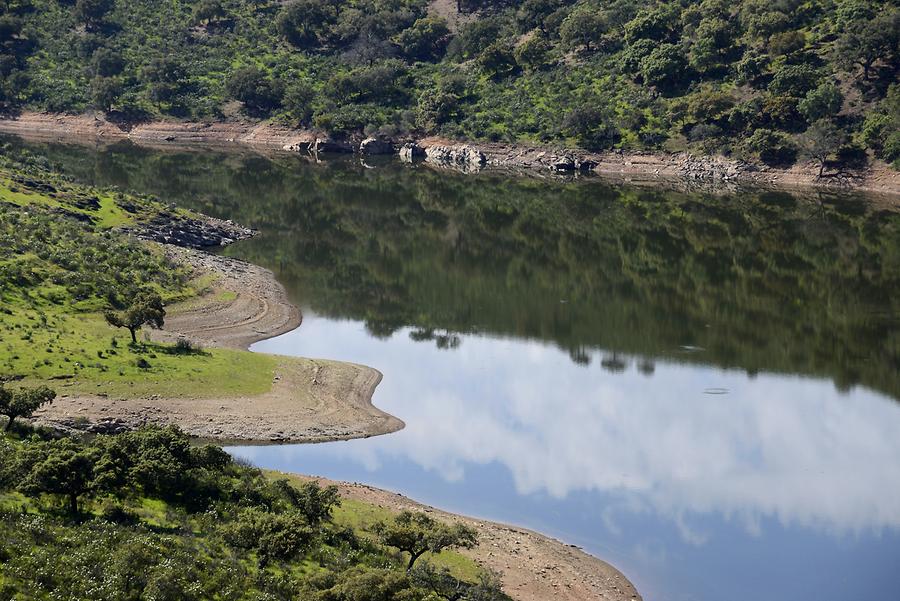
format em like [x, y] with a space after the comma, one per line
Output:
[533, 567]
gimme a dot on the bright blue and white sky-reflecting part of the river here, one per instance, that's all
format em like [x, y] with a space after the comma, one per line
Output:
[698, 483]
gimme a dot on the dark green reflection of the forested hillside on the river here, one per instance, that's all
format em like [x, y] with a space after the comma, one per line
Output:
[763, 281]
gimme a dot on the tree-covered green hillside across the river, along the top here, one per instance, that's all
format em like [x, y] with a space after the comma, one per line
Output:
[752, 78]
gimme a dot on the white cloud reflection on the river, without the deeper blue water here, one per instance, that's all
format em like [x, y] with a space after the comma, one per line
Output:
[772, 446]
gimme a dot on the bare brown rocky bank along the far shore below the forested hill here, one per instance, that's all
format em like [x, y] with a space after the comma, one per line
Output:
[633, 166]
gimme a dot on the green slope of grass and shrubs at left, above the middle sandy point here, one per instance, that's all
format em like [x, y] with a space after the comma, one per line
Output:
[62, 266]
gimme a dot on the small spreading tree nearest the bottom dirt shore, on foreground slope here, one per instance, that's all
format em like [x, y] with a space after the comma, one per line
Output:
[417, 533]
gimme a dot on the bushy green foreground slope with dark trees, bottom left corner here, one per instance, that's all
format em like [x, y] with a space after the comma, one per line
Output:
[148, 516]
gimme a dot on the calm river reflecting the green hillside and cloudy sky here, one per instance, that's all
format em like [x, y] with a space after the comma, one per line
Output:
[700, 388]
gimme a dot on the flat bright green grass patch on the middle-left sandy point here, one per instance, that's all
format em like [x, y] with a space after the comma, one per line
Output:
[80, 353]
